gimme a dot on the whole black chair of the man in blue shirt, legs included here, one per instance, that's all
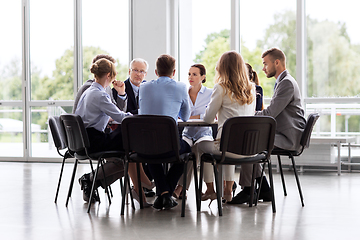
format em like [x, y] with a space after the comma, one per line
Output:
[153, 136]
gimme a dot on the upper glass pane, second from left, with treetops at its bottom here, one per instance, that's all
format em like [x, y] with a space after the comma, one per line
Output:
[51, 47]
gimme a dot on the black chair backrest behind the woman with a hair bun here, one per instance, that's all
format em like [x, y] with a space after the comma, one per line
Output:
[76, 136]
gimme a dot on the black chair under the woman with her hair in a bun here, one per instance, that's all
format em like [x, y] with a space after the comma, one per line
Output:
[78, 142]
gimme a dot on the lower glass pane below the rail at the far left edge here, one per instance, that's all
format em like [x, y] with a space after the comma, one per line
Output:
[11, 132]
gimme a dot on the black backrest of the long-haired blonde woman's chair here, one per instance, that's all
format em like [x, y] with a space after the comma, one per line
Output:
[248, 135]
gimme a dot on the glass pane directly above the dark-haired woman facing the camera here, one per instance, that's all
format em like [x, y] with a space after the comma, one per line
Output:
[210, 34]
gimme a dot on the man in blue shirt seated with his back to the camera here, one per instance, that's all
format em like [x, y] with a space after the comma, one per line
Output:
[165, 96]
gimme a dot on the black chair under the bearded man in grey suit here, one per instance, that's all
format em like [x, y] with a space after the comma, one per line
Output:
[304, 142]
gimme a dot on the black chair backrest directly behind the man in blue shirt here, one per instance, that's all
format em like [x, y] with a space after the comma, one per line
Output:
[150, 135]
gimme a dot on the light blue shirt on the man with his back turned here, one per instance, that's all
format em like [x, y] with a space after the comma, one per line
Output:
[164, 96]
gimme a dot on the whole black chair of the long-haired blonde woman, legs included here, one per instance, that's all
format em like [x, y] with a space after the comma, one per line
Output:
[253, 136]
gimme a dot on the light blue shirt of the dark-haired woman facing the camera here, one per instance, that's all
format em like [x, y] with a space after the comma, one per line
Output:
[201, 102]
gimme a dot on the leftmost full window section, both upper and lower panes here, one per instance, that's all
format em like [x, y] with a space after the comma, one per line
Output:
[11, 122]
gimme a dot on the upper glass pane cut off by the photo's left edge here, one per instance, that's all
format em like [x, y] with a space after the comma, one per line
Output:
[10, 50]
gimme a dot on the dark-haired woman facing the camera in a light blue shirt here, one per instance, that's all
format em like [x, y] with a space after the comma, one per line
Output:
[199, 98]
